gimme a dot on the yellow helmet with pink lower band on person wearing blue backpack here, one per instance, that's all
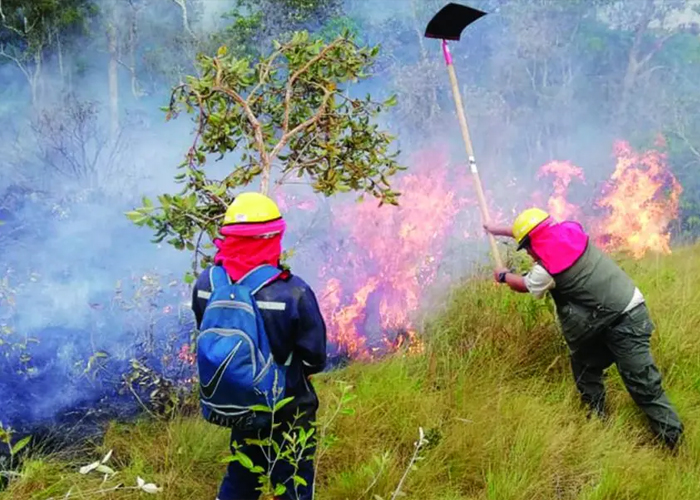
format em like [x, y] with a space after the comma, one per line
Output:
[253, 214]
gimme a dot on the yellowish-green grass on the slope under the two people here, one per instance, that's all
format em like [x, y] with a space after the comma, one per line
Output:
[493, 393]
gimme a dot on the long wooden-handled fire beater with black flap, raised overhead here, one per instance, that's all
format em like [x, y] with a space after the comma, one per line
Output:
[448, 24]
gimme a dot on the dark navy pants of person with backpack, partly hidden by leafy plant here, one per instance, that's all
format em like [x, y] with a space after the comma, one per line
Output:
[240, 484]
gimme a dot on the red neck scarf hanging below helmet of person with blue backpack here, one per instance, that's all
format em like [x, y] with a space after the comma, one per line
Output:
[239, 254]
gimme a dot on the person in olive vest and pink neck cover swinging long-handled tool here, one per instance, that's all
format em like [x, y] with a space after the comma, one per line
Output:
[603, 315]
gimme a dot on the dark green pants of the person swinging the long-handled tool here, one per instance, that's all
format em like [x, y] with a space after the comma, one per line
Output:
[627, 344]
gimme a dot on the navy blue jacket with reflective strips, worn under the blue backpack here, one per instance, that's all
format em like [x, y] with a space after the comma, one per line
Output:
[294, 324]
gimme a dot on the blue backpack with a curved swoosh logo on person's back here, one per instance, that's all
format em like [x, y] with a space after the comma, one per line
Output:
[234, 361]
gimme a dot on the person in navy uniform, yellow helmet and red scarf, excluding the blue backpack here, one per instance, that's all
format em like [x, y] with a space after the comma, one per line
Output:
[252, 234]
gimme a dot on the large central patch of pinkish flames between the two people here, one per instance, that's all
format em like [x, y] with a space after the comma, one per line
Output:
[388, 259]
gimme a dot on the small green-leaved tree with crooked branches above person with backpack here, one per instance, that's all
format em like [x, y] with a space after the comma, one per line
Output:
[290, 111]
